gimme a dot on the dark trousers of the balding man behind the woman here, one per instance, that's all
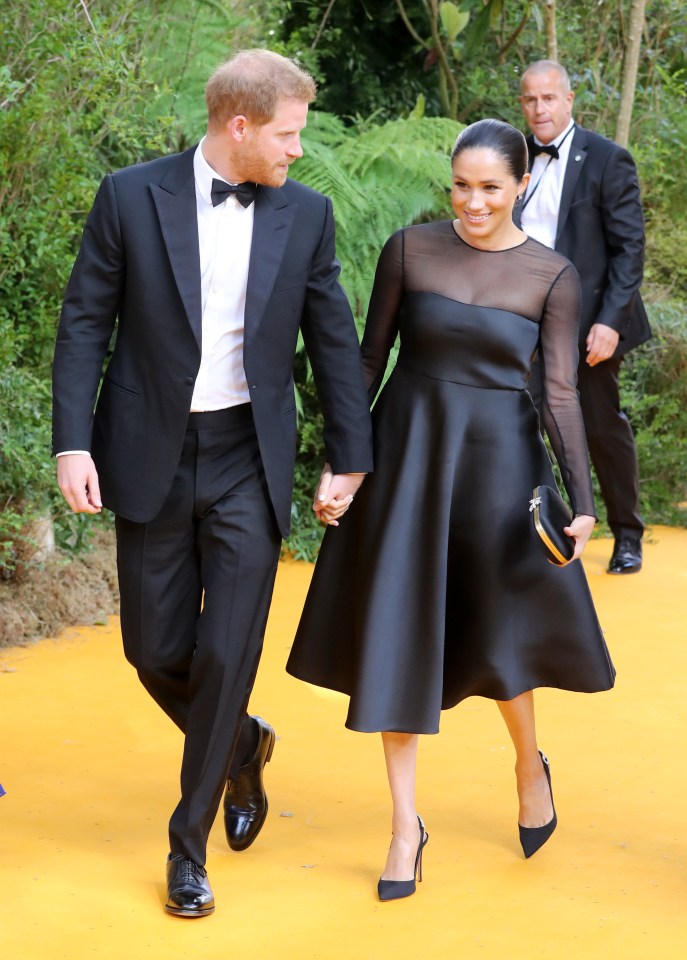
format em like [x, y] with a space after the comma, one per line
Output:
[610, 441]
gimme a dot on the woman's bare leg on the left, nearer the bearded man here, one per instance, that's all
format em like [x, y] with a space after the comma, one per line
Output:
[400, 753]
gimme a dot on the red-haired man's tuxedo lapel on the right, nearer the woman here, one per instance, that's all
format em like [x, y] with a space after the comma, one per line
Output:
[272, 225]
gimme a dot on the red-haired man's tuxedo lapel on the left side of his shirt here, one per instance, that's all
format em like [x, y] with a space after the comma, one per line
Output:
[175, 201]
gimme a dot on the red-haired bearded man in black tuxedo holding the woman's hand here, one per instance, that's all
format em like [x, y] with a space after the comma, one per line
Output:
[193, 439]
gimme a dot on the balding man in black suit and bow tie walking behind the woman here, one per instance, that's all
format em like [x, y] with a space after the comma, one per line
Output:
[583, 200]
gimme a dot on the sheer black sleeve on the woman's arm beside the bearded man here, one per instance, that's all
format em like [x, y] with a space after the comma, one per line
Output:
[381, 327]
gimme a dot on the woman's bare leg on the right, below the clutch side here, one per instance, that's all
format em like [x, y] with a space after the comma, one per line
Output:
[536, 808]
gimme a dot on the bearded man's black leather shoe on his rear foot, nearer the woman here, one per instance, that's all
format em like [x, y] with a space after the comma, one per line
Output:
[245, 802]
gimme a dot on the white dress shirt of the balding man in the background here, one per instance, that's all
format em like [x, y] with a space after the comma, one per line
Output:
[539, 218]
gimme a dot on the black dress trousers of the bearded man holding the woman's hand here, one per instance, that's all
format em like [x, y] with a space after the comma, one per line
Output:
[196, 584]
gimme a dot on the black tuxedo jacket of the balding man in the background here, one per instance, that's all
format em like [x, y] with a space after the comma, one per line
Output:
[601, 231]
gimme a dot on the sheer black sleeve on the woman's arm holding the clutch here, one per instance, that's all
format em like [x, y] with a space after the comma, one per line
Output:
[561, 413]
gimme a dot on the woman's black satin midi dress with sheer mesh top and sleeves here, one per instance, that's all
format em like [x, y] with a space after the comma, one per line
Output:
[434, 587]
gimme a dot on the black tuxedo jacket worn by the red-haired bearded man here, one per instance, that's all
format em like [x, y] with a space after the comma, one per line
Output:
[137, 279]
